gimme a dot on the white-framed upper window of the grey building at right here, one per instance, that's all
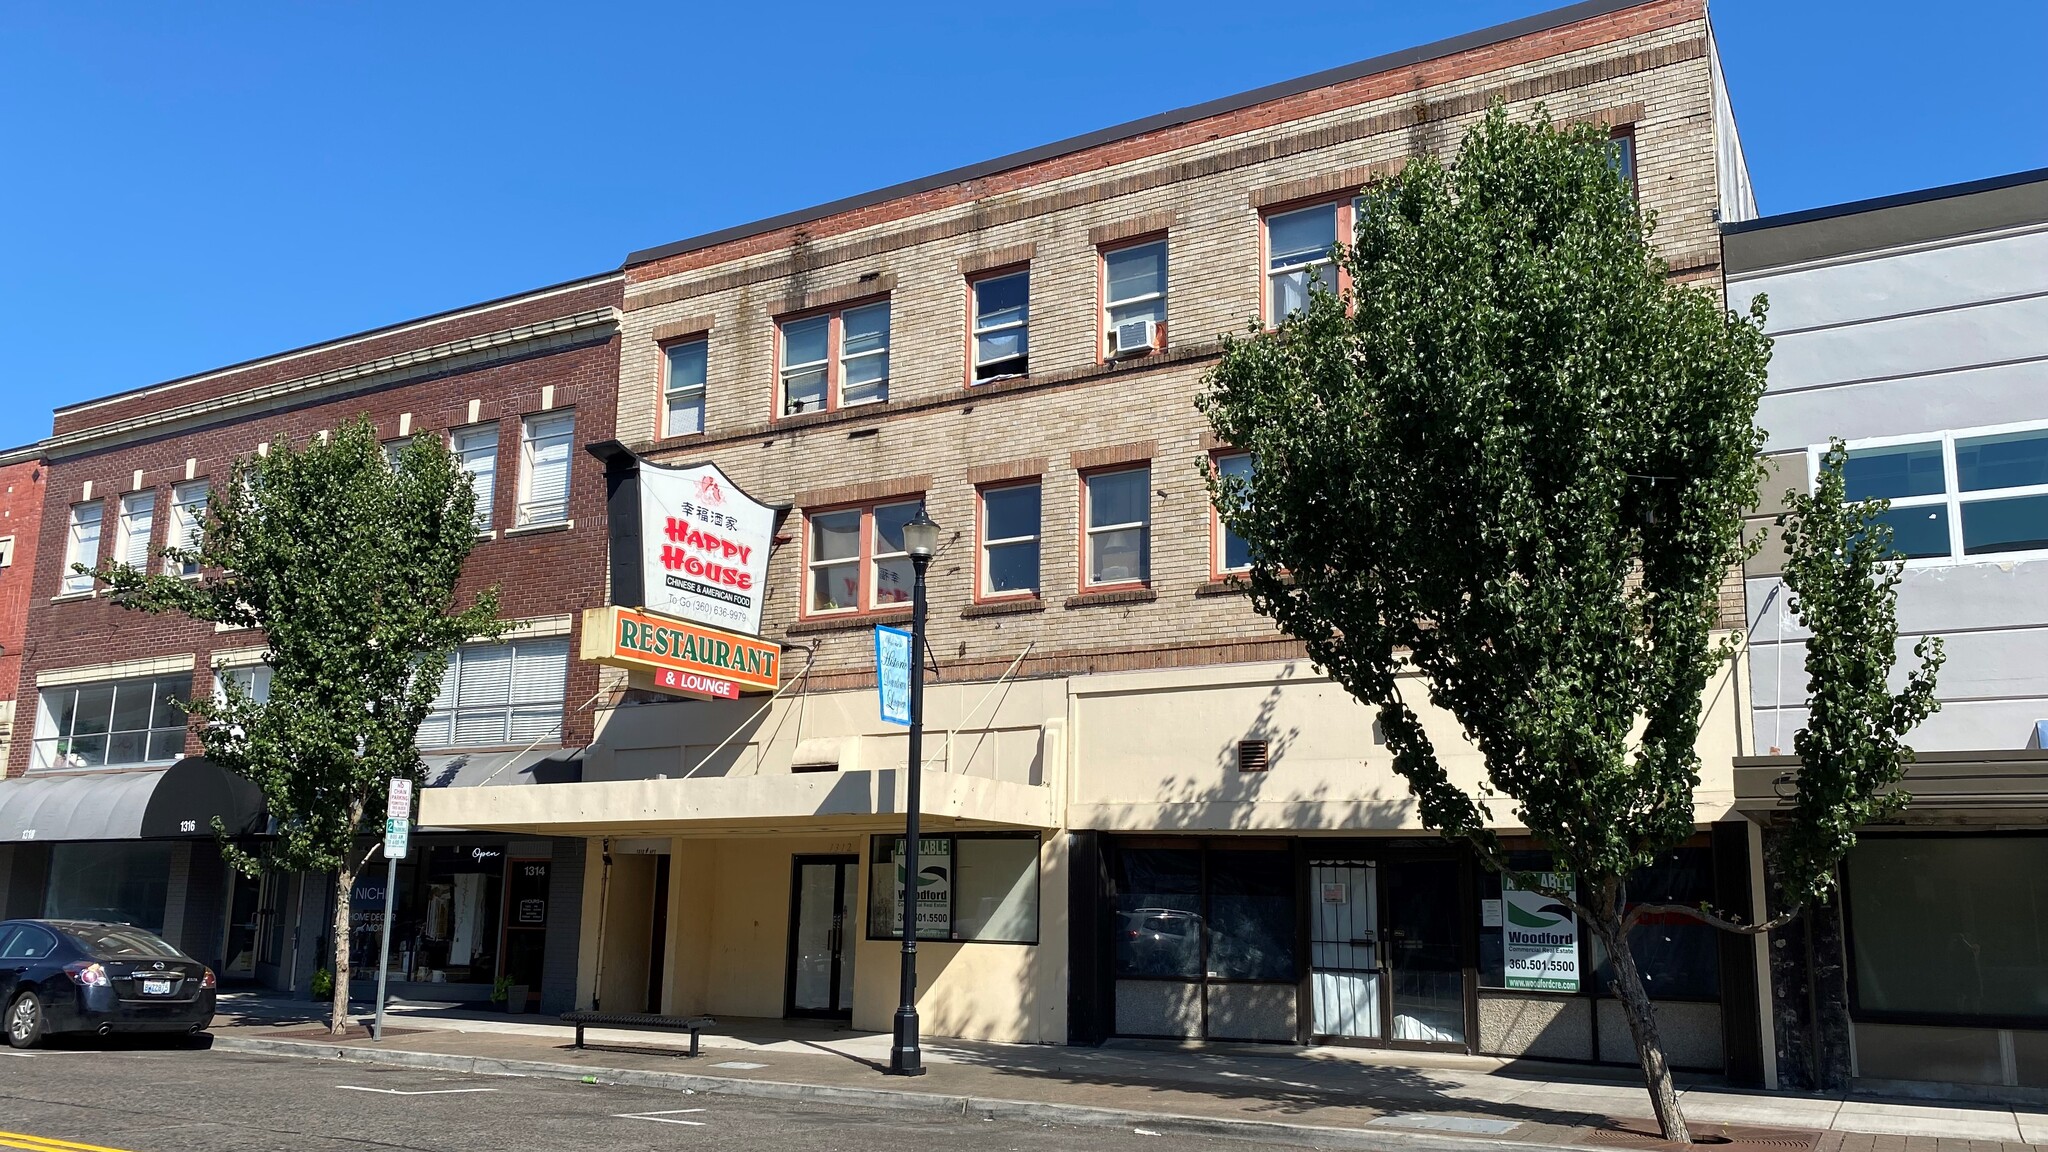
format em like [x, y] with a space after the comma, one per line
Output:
[1957, 495]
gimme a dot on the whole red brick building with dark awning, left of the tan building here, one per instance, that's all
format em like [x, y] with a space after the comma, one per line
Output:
[105, 811]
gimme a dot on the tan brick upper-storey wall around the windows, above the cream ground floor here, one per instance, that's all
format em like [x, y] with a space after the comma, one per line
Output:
[1201, 186]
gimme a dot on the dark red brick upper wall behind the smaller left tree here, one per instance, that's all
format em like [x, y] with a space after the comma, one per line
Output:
[493, 364]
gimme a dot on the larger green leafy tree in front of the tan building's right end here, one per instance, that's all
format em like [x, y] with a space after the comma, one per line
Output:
[1508, 470]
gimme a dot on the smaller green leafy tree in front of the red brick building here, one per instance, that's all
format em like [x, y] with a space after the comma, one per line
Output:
[349, 567]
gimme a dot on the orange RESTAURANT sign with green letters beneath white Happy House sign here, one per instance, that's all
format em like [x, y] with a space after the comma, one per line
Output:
[681, 657]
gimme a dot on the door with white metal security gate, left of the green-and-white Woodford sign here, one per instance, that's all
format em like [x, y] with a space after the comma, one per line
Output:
[1345, 950]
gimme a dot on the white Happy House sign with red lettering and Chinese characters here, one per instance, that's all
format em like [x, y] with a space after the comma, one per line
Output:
[703, 548]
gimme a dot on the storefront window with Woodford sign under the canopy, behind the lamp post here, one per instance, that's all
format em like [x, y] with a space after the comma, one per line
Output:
[980, 889]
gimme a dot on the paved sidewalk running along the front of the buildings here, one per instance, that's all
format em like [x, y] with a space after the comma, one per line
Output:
[1312, 1096]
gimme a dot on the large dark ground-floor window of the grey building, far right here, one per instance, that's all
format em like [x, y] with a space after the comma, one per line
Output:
[1951, 925]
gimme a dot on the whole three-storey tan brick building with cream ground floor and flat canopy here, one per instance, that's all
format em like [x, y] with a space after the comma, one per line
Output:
[1150, 815]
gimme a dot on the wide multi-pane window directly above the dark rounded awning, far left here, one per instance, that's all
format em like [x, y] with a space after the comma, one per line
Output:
[112, 723]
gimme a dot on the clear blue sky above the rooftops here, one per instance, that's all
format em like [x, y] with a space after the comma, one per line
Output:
[185, 188]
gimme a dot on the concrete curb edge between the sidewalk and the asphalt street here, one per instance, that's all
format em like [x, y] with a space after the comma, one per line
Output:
[1029, 1112]
